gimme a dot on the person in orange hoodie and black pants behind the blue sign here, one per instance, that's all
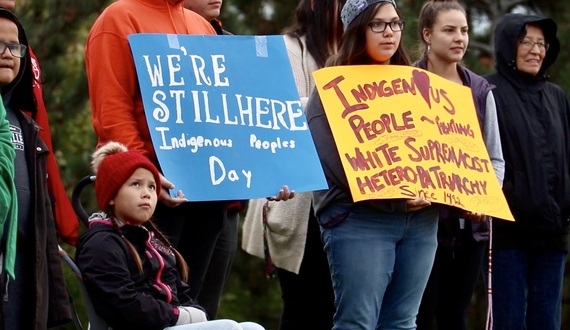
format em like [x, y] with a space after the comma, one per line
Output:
[118, 115]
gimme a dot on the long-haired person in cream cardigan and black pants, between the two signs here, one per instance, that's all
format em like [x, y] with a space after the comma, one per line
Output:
[292, 237]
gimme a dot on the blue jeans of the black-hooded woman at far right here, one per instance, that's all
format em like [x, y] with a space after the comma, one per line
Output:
[527, 281]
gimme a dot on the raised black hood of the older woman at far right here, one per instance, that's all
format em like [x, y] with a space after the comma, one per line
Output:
[510, 29]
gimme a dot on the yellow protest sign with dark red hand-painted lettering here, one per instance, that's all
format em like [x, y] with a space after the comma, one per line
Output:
[403, 132]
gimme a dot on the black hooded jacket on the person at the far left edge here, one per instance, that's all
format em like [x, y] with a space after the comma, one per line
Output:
[47, 305]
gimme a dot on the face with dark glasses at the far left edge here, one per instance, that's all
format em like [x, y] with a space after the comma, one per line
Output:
[9, 64]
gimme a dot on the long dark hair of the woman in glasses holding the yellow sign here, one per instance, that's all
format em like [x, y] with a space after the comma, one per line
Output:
[352, 47]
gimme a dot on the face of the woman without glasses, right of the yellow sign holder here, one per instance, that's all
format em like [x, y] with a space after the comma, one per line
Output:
[449, 37]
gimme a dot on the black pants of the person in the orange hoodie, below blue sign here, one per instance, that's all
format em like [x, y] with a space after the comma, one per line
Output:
[193, 229]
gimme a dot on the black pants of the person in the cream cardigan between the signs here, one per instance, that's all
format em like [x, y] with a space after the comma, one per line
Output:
[309, 294]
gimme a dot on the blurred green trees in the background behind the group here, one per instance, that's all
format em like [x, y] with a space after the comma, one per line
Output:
[57, 30]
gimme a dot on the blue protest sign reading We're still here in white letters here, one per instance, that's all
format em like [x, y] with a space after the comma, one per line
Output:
[224, 115]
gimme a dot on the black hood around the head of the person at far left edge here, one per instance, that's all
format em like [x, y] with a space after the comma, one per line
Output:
[19, 94]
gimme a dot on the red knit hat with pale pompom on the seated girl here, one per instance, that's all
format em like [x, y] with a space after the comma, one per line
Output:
[113, 165]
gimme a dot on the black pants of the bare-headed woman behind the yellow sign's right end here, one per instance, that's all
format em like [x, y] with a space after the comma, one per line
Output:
[451, 285]
